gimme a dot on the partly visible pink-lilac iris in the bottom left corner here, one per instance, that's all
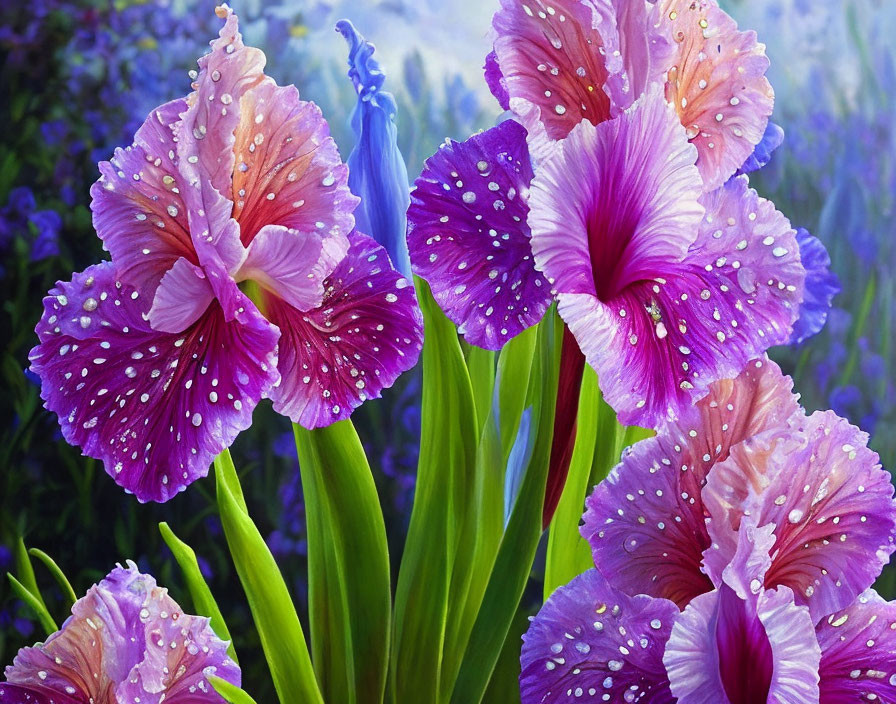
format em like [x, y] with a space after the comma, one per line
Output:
[126, 641]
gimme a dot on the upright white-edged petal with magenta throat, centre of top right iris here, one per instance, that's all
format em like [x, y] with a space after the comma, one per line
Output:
[617, 202]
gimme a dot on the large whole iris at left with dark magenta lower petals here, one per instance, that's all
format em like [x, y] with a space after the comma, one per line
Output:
[235, 275]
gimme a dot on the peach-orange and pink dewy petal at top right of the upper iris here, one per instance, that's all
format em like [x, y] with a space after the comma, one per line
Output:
[717, 83]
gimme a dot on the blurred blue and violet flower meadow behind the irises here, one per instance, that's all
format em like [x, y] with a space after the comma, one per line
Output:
[77, 77]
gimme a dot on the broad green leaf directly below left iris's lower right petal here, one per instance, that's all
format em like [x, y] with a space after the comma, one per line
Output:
[350, 599]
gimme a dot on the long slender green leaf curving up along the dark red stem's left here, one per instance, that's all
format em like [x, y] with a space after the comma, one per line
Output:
[520, 540]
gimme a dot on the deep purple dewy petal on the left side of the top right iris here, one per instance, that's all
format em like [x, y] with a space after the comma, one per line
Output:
[468, 235]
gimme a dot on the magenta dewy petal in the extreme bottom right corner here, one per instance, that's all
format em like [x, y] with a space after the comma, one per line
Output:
[858, 653]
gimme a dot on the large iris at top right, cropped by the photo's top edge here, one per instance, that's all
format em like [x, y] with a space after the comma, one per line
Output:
[614, 189]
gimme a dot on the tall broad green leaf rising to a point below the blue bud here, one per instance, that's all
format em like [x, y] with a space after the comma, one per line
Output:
[442, 500]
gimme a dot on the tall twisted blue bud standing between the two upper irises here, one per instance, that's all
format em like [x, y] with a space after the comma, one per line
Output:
[377, 172]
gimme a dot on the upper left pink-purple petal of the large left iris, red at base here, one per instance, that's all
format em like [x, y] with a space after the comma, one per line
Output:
[138, 206]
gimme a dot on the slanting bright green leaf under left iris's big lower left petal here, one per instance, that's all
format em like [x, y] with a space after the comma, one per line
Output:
[276, 620]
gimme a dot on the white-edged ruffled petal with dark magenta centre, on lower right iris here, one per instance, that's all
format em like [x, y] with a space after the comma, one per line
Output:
[742, 644]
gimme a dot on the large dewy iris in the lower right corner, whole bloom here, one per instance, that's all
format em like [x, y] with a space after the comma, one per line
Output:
[735, 551]
